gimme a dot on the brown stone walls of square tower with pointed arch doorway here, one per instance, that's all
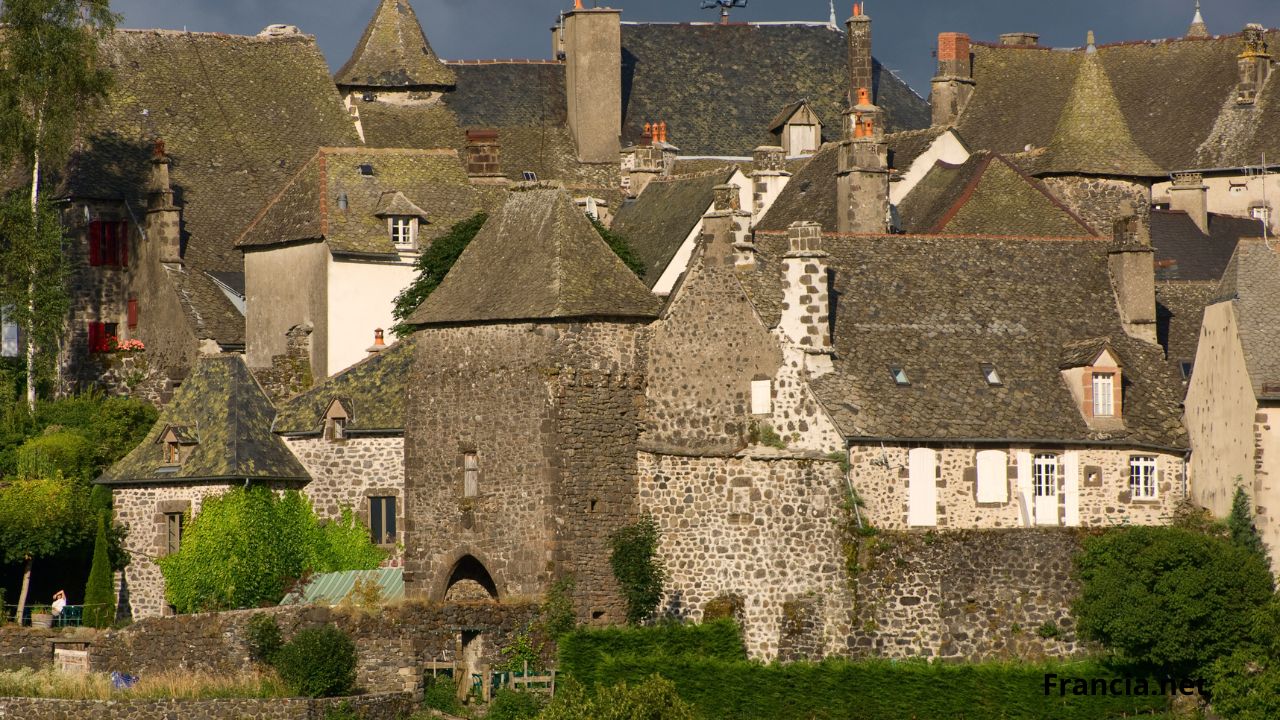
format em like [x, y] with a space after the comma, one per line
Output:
[551, 416]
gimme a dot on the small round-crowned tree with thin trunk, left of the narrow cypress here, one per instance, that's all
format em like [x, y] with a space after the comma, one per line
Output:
[40, 518]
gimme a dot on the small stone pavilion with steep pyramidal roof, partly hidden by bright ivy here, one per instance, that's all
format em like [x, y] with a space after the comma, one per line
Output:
[216, 435]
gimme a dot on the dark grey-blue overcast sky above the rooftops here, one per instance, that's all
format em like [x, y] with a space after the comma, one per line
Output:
[904, 30]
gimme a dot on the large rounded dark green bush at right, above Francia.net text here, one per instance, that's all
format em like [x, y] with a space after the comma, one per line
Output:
[1169, 599]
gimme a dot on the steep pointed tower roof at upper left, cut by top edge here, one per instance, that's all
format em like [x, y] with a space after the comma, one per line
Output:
[395, 54]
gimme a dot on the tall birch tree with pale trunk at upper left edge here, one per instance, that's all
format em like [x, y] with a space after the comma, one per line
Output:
[51, 74]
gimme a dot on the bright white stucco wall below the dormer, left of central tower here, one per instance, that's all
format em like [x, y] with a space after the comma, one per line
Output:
[362, 298]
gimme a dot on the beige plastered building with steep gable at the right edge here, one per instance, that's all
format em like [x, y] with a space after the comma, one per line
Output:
[1232, 404]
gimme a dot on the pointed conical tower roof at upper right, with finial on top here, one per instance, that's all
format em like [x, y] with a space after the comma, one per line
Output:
[1092, 135]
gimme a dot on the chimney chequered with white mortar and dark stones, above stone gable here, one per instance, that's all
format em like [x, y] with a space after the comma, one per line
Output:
[807, 295]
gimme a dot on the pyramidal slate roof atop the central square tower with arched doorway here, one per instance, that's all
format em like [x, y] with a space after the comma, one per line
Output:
[538, 258]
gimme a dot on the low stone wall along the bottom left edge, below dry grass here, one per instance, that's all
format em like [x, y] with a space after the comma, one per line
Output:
[387, 707]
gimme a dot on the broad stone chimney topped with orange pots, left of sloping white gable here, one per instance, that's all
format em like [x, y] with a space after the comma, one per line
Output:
[862, 180]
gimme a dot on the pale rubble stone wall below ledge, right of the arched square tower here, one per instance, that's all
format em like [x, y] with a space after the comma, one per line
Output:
[762, 528]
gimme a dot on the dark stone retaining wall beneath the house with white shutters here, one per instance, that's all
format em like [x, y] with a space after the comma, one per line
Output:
[966, 596]
